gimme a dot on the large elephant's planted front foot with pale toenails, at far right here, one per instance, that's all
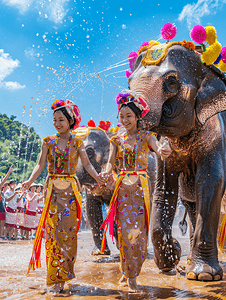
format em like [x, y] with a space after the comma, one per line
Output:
[203, 272]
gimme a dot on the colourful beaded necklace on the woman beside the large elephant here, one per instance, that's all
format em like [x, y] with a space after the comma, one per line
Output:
[130, 156]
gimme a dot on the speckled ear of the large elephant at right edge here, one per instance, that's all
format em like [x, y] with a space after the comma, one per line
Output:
[211, 96]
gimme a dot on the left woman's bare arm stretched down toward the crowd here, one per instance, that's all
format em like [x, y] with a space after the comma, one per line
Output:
[39, 167]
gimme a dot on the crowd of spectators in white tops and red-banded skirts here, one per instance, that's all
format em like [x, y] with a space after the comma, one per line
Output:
[20, 210]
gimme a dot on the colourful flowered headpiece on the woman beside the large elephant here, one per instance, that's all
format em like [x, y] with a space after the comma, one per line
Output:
[128, 96]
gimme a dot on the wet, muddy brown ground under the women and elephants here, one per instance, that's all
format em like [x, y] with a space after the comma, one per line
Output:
[97, 277]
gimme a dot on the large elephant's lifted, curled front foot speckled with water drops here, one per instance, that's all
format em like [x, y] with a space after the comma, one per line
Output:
[168, 259]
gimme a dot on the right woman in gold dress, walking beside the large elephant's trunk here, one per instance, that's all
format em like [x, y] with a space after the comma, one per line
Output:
[130, 203]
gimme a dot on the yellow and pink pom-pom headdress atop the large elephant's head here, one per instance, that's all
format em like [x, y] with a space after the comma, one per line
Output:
[213, 54]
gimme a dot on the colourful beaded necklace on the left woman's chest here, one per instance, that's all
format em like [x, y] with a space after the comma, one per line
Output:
[59, 158]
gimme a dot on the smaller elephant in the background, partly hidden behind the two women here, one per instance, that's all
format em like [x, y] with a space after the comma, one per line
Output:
[97, 146]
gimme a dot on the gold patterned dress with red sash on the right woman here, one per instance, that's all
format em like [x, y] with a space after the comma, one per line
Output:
[130, 203]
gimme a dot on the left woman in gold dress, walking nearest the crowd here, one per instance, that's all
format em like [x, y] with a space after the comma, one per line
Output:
[62, 208]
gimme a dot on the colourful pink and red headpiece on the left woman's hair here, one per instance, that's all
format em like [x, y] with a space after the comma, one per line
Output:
[71, 108]
